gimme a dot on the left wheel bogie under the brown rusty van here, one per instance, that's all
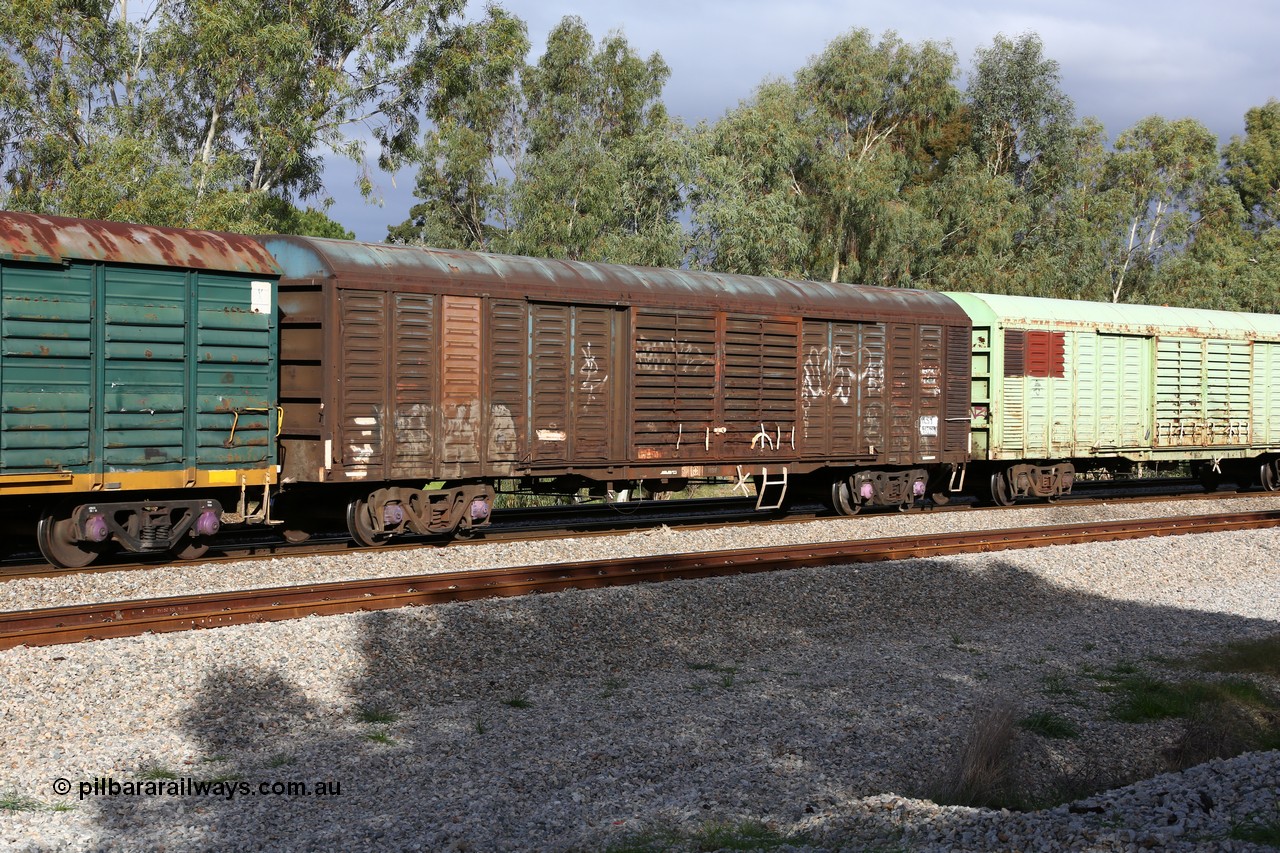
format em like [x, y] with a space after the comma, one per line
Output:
[397, 510]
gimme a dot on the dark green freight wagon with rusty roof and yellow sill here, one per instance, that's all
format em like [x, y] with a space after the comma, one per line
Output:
[138, 385]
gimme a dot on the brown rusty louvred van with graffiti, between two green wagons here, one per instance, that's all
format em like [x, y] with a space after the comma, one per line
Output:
[405, 366]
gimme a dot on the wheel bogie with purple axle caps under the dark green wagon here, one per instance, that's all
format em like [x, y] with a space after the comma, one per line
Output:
[75, 539]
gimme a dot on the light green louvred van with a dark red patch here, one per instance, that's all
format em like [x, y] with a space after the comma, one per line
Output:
[1063, 386]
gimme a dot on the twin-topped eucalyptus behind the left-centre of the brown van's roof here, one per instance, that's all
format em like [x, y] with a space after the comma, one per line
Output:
[602, 174]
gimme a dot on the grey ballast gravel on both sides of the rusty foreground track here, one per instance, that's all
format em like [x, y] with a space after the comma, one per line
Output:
[828, 706]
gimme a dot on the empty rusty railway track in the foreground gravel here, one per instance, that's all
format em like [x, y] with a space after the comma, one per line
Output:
[51, 627]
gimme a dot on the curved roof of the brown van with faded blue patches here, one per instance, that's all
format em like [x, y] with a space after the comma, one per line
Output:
[377, 264]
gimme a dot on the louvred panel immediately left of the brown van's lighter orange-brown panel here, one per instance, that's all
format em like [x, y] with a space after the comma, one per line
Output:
[414, 387]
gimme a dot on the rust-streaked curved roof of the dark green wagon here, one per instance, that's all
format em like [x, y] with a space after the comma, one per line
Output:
[31, 238]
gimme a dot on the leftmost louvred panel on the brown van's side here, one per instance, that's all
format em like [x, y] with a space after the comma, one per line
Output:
[364, 380]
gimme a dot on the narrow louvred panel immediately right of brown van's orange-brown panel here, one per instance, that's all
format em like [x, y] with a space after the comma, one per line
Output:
[509, 361]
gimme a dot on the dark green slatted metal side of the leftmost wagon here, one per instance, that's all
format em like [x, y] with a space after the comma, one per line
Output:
[173, 375]
